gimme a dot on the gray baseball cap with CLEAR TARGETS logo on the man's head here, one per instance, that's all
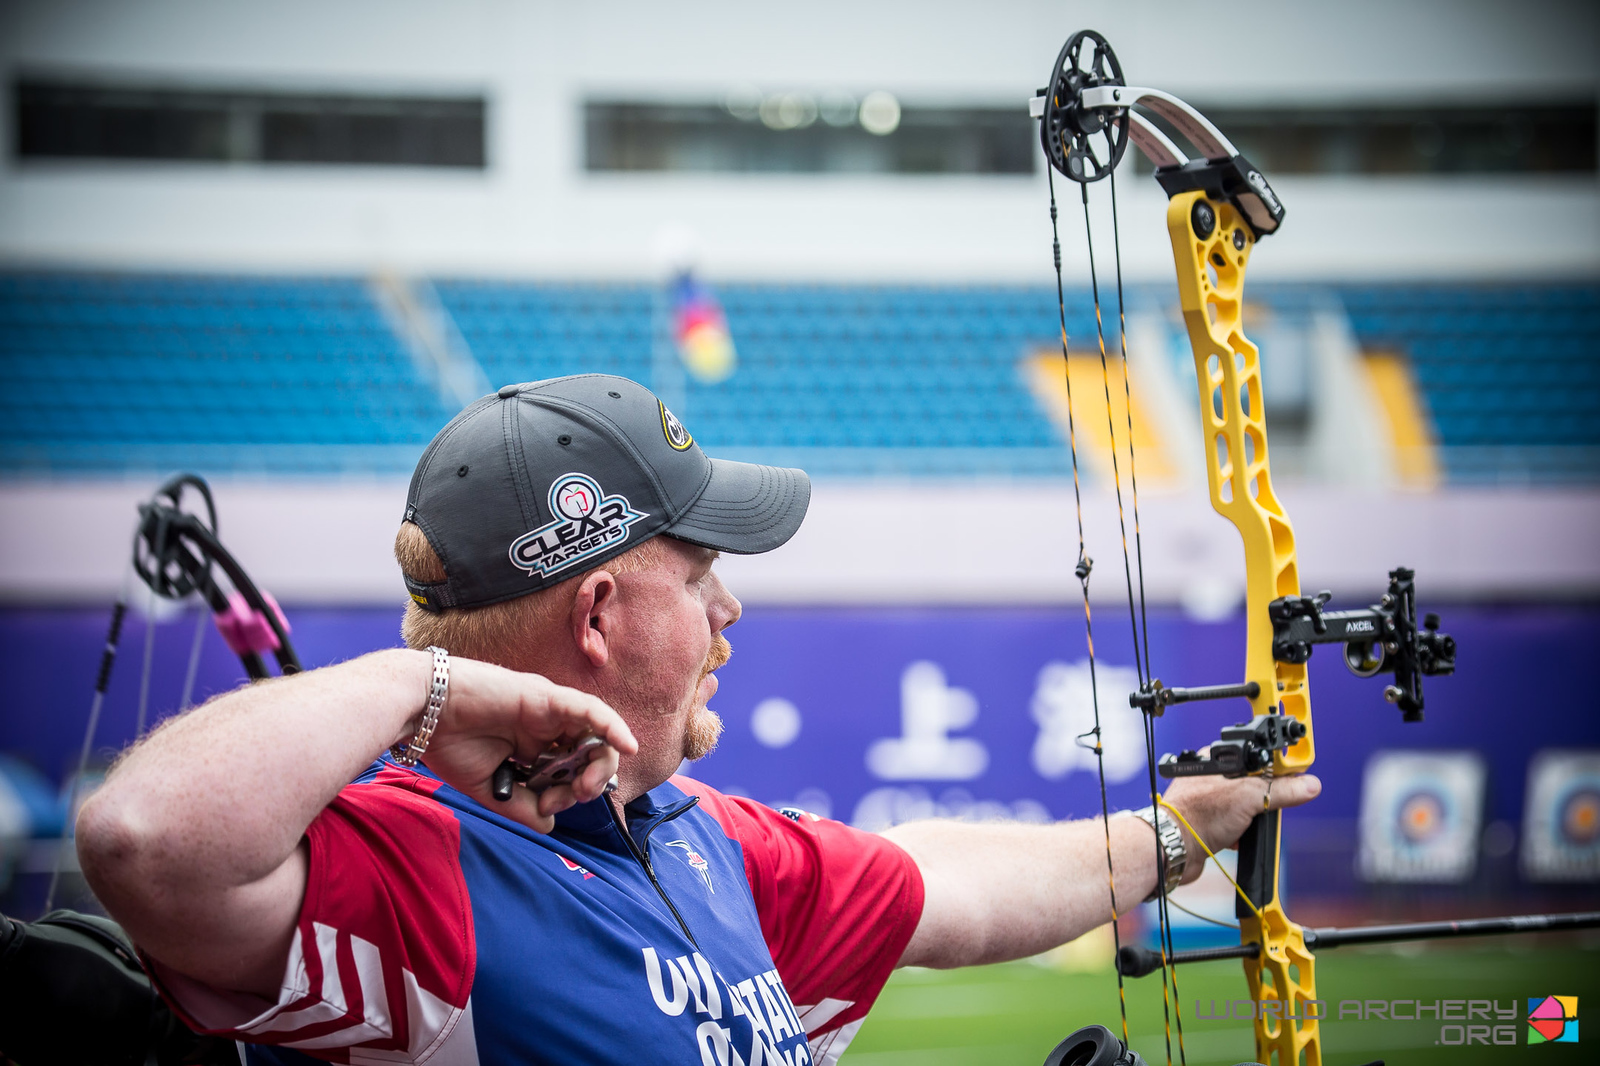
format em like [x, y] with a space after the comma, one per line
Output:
[548, 479]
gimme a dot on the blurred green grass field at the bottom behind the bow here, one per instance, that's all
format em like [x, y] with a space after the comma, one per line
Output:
[1014, 1014]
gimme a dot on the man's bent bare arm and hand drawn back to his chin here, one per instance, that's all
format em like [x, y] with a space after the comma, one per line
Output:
[196, 840]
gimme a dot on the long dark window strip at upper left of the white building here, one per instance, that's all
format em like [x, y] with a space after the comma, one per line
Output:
[63, 121]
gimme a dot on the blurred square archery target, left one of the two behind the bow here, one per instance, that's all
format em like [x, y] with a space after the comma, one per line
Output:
[1422, 816]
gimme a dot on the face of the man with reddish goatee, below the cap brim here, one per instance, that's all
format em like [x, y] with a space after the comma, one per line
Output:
[666, 643]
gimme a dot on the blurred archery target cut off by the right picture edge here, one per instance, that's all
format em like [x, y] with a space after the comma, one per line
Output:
[1561, 833]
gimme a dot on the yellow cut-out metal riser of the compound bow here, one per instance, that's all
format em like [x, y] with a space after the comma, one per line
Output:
[1212, 246]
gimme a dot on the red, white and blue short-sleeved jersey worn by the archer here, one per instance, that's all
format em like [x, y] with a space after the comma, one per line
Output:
[434, 931]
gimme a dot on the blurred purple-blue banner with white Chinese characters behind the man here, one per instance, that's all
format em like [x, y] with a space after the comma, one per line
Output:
[879, 715]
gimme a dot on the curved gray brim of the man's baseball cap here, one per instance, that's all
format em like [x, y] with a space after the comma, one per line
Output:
[746, 508]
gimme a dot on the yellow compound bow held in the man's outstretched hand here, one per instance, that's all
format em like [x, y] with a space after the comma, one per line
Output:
[1220, 207]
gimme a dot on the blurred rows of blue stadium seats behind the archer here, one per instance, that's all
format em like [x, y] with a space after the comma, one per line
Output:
[119, 372]
